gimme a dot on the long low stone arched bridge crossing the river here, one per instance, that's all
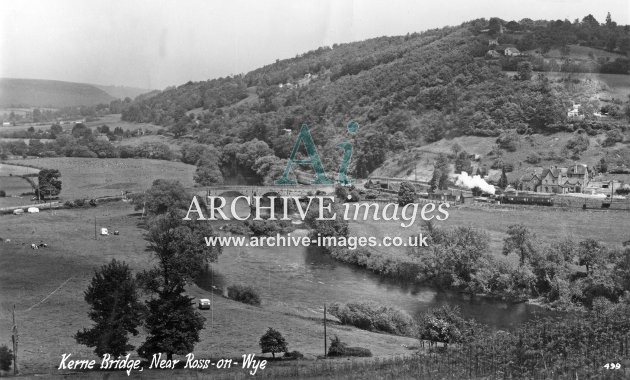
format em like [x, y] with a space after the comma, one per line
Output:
[267, 190]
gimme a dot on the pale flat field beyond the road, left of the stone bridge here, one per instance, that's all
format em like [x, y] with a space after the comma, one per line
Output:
[110, 176]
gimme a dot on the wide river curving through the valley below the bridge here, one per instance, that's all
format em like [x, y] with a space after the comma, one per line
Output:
[307, 277]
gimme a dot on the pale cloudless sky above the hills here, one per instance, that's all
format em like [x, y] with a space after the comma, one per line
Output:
[159, 43]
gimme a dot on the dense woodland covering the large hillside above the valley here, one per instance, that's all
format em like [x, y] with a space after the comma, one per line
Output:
[403, 91]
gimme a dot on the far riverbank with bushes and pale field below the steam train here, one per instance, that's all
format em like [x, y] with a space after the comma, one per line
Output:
[469, 256]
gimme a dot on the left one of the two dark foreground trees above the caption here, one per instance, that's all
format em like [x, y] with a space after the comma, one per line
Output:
[115, 309]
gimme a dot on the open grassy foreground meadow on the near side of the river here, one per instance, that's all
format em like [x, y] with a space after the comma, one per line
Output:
[47, 286]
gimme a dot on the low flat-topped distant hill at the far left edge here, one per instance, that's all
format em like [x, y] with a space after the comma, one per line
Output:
[49, 93]
